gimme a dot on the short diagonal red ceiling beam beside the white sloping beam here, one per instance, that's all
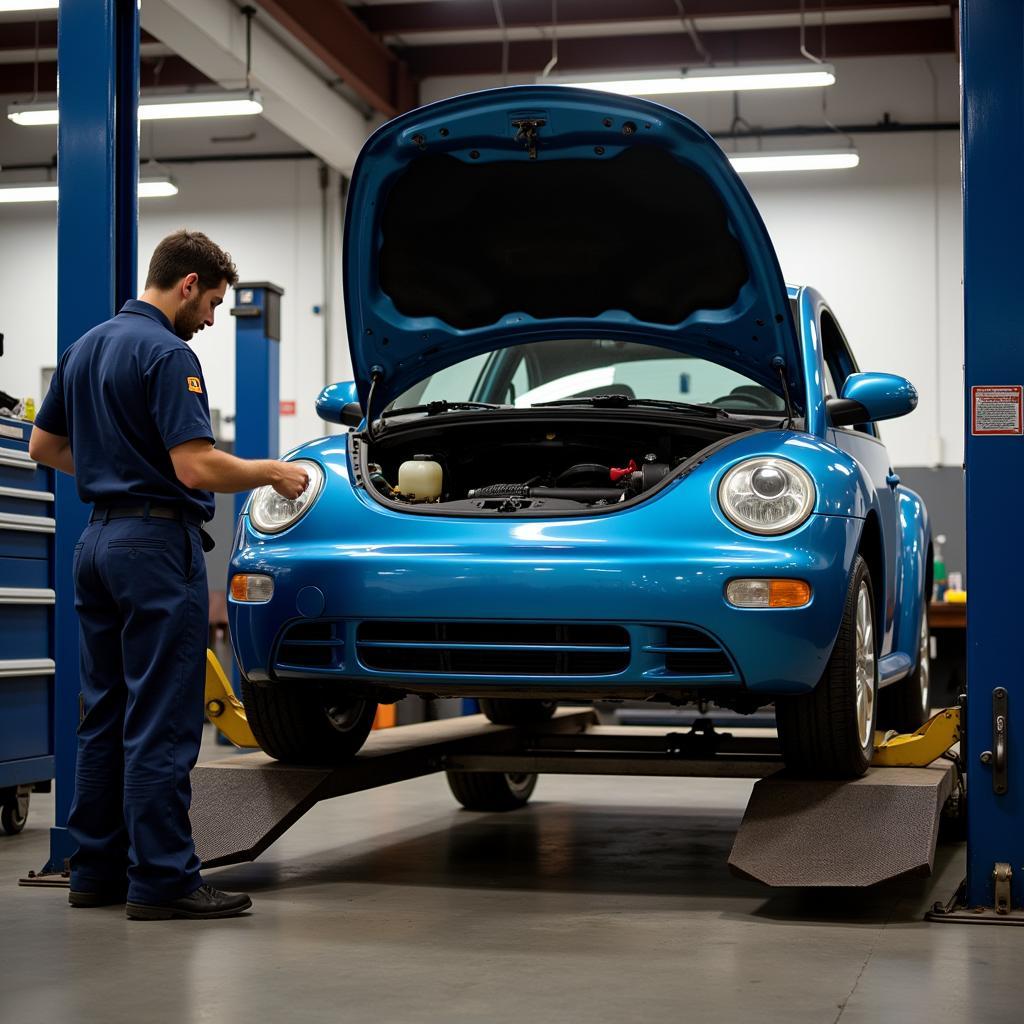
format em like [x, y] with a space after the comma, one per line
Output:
[329, 30]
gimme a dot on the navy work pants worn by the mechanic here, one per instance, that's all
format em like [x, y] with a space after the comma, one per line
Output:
[143, 604]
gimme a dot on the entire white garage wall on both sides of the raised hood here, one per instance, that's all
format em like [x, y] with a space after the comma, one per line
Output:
[883, 243]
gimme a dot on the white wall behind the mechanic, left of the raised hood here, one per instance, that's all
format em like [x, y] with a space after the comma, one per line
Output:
[268, 216]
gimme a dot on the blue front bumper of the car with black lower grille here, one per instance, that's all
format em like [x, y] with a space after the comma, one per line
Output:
[461, 608]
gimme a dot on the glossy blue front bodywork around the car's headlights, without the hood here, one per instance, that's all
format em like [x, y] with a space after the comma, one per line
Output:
[669, 560]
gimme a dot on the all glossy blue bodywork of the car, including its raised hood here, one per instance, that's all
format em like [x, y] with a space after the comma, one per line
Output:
[664, 562]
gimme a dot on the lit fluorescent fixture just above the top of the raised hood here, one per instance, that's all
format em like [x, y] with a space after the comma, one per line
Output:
[736, 79]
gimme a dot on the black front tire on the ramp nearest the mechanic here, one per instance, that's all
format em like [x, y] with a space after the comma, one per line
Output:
[304, 726]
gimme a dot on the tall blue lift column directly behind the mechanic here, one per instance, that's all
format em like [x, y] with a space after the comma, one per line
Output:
[98, 176]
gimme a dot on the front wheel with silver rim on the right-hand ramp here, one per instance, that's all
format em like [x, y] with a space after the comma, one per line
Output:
[831, 731]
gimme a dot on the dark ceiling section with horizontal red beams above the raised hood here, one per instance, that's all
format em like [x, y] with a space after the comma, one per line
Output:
[464, 37]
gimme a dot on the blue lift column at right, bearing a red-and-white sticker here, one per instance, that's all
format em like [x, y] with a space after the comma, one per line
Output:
[994, 222]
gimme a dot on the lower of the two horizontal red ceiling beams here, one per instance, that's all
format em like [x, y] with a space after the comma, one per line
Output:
[595, 54]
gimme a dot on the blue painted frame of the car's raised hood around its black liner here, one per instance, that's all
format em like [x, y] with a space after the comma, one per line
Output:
[748, 336]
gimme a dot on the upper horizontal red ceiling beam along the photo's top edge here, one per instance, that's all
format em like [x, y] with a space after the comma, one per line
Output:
[400, 19]
